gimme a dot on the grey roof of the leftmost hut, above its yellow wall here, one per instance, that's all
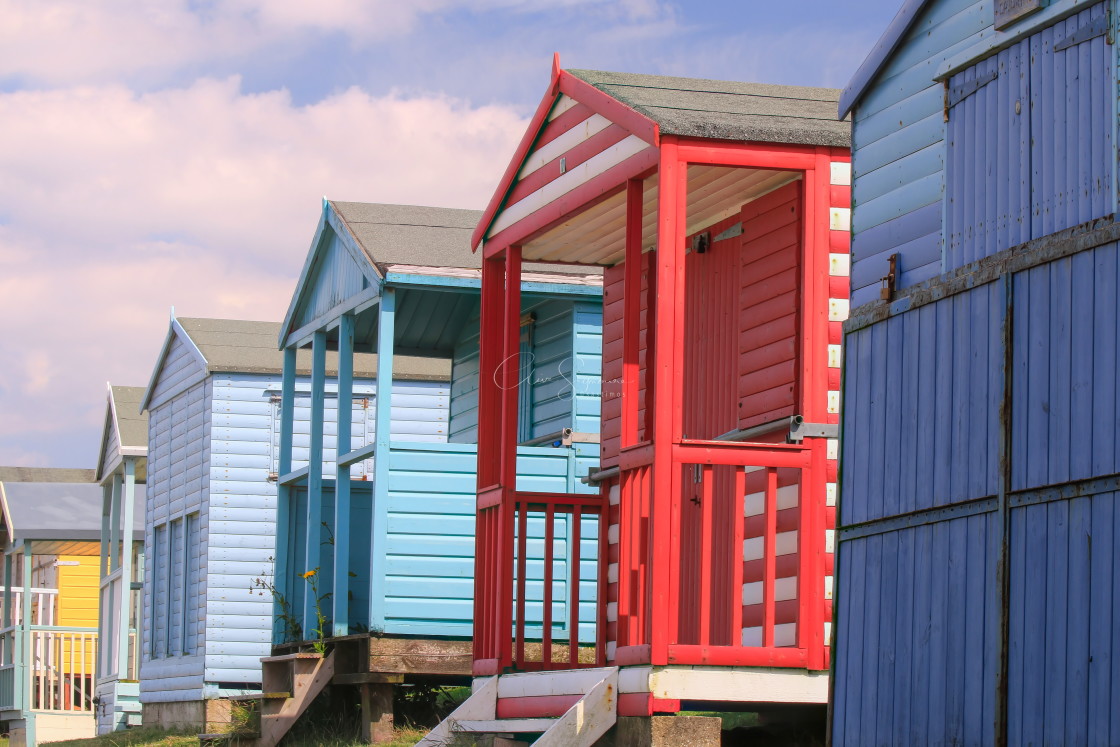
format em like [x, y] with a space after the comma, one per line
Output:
[59, 510]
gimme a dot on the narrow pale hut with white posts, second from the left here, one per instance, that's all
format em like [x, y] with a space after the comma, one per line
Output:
[123, 471]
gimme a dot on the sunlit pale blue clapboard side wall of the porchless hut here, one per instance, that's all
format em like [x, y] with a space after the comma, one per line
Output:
[242, 503]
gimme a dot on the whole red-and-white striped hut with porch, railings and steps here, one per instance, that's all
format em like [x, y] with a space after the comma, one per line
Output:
[718, 213]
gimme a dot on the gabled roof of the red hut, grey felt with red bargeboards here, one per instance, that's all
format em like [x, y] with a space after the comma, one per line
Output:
[649, 107]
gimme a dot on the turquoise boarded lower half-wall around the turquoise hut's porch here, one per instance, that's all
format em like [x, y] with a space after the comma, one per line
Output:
[428, 587]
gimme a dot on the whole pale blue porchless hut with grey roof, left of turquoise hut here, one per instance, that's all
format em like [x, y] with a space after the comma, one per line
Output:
[213, 462]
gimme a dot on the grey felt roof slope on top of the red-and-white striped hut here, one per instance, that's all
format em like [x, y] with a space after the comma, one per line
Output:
[729, 110]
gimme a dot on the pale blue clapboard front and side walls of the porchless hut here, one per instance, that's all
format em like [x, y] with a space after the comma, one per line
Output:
[212, 450]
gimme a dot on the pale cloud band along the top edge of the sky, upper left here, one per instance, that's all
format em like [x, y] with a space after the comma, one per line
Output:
[152, 45]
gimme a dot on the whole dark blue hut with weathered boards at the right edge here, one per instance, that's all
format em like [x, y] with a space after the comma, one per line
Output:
[978, 597]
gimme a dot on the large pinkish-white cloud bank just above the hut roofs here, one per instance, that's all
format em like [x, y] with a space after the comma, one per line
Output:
[118, 206]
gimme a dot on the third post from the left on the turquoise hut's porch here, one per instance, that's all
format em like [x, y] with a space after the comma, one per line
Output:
[340, 599]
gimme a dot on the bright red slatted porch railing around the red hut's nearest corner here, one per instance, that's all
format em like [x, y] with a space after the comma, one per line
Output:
[708, 619]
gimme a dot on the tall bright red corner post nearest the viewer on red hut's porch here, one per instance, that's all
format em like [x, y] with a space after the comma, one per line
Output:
[666, 484]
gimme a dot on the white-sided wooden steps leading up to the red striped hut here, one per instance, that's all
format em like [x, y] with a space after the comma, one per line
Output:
[582, 725]
